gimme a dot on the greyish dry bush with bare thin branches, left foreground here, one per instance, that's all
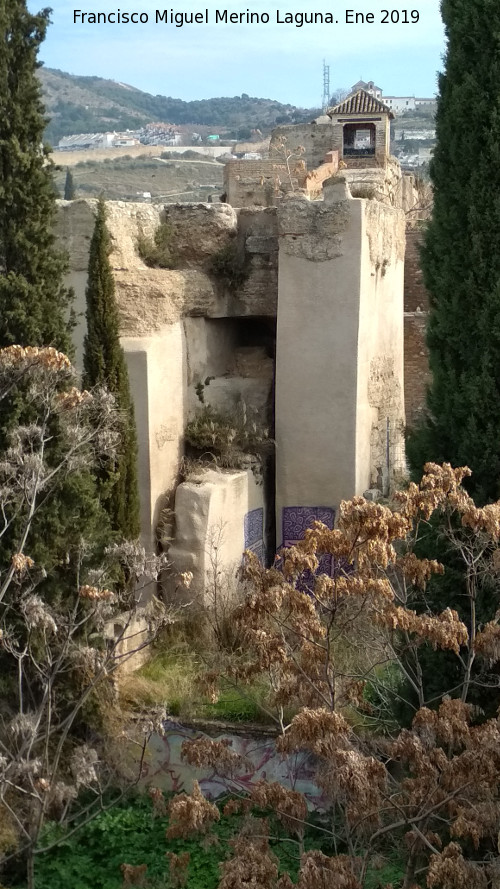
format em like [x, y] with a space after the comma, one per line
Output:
[59, 653]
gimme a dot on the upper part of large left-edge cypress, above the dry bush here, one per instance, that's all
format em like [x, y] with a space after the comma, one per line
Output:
[33, 301]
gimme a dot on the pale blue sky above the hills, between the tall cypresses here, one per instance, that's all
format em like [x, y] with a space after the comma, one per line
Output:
[278, 61]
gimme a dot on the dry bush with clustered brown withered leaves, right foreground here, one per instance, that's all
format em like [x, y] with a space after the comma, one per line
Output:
[433, 788]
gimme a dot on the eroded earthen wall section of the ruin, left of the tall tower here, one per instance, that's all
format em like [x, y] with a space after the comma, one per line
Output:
[156, 306]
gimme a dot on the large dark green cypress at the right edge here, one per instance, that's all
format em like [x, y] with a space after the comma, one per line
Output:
[461, 254]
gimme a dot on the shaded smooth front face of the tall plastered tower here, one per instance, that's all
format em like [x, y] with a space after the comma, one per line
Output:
[317, 342]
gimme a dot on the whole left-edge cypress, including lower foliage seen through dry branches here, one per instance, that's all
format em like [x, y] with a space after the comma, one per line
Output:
[34, 304]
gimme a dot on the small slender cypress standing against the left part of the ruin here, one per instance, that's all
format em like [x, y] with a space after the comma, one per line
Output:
[104, 364]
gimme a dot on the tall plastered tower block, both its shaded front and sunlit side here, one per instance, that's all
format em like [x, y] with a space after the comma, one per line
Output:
[340, 309]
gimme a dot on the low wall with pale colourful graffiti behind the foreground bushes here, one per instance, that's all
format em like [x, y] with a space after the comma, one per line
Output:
[164, 767]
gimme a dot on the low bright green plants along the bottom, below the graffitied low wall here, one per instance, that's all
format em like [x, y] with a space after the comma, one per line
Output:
[131, 833]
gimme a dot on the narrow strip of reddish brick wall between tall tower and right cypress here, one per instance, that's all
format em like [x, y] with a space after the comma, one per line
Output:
[416, 303]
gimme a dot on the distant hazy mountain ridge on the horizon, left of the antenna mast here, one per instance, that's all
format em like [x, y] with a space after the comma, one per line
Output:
[94, 105]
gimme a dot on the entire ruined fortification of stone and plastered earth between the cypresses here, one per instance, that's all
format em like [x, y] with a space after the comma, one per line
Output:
[291, 313]
